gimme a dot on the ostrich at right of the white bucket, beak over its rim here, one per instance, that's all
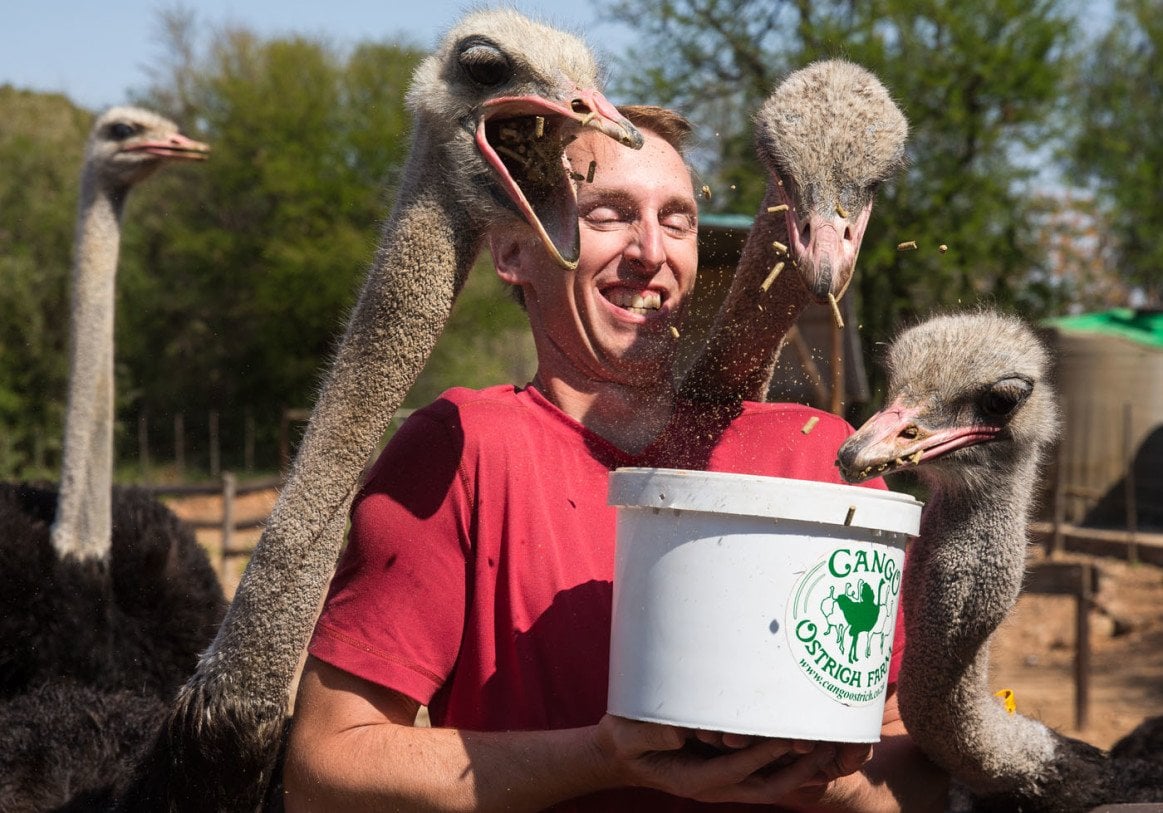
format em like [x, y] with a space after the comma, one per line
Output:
[971, 408]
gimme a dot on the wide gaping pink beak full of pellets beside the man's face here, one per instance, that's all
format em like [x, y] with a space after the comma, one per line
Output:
[524, 140]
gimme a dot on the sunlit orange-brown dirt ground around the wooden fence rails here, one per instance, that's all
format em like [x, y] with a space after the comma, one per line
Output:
[1033, 653]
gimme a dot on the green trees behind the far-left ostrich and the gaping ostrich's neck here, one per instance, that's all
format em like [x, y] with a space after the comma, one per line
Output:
[236, 275]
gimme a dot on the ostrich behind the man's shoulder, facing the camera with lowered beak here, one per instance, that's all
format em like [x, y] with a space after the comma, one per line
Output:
[829, 137]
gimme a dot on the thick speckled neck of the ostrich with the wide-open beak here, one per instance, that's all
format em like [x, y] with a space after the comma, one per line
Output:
[426, 251]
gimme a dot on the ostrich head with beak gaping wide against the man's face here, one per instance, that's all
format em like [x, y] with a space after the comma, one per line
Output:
[517, 92]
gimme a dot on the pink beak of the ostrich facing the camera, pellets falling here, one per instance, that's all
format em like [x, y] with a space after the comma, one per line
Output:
[825, 246]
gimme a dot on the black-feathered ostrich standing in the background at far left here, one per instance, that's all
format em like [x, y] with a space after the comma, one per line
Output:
[97, 584]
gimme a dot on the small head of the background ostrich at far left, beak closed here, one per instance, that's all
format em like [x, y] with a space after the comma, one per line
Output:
[127, 145]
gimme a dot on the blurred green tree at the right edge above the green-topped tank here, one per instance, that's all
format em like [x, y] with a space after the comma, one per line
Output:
[1117, 146]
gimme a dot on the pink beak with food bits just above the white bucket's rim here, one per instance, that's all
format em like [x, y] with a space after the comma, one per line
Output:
[896, 438]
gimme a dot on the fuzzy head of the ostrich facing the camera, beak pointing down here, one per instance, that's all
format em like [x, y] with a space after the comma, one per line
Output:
[830, 135]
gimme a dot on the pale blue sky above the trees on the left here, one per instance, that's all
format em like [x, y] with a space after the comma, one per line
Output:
[95, 53]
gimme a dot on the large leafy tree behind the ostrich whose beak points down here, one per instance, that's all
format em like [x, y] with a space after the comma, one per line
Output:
[979, 89]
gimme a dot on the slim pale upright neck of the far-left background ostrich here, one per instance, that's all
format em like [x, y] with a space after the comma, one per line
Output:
[82, 529]
